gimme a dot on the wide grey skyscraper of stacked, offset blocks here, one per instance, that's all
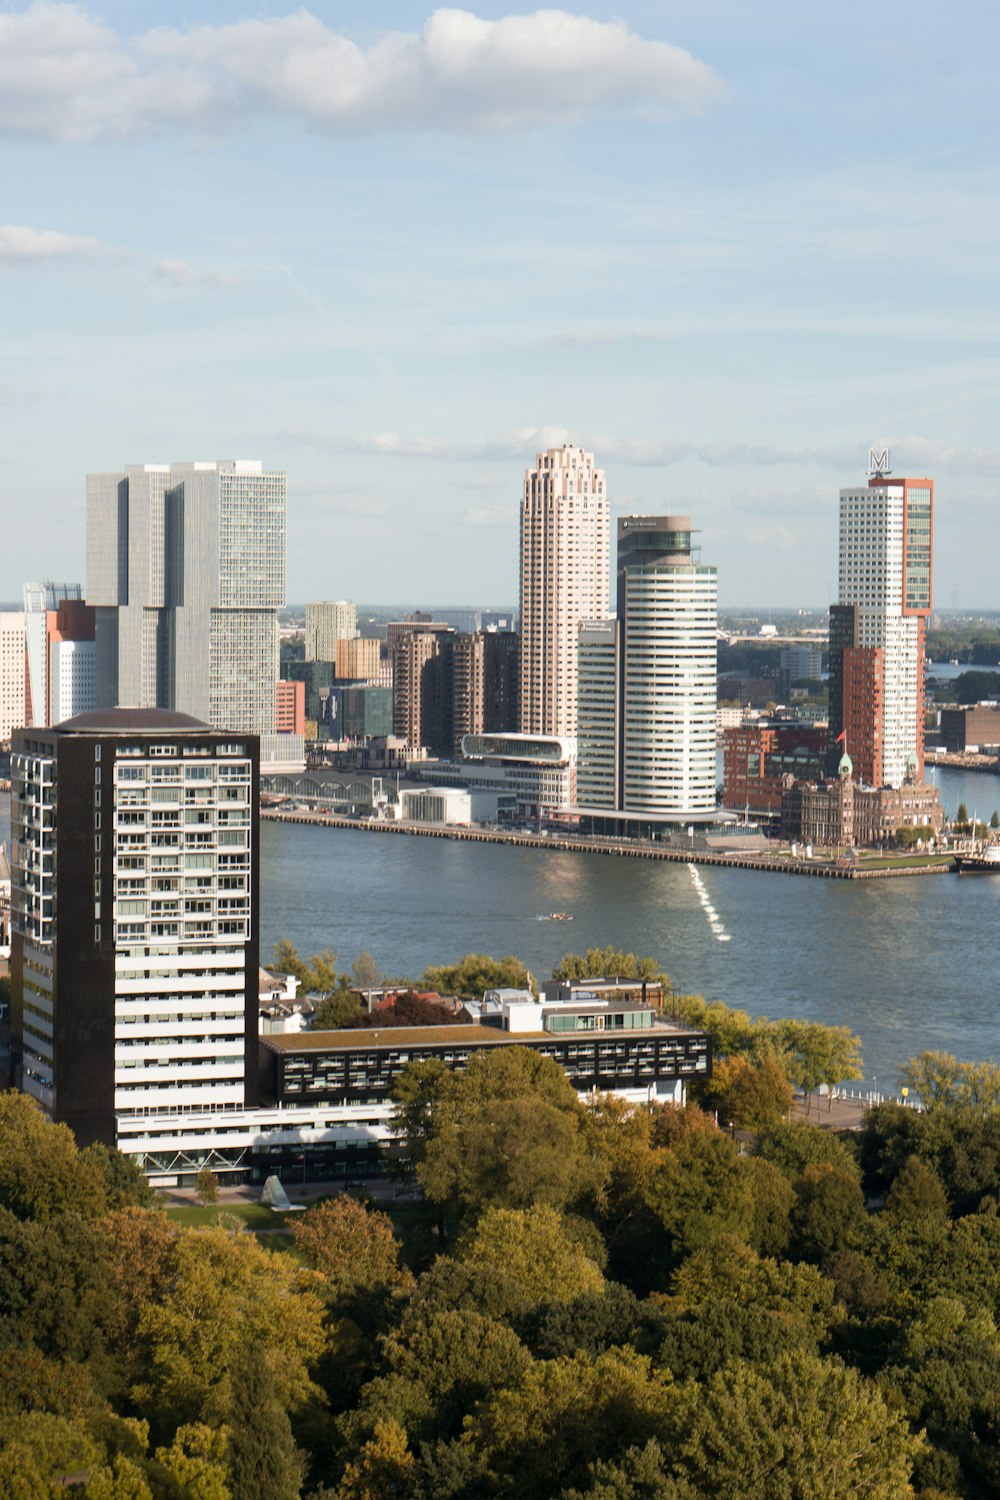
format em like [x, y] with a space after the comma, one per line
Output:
[187, 571]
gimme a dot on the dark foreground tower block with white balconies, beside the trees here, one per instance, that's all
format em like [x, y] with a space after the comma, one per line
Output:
[136, 919]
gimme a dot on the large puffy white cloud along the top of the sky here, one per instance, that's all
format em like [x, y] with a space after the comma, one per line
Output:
[65, 76]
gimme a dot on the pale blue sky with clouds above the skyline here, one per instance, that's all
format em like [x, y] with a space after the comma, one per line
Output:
[397, 251]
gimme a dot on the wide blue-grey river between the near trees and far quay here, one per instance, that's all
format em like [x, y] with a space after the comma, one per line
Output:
[905, 964]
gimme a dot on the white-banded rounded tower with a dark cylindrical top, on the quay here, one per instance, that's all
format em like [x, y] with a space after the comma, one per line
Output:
[647, 685]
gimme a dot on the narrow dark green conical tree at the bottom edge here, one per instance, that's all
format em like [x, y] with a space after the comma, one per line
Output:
[265, 1463]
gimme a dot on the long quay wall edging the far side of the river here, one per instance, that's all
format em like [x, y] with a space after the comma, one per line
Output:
[878, 868]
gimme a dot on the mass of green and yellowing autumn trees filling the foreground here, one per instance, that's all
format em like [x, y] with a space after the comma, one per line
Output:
[590, 1303]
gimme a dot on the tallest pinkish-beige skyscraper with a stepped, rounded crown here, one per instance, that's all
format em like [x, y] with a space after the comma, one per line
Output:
[564, 580]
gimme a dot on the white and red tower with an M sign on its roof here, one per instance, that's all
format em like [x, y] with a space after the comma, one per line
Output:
[878, 625]
